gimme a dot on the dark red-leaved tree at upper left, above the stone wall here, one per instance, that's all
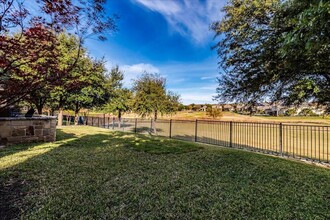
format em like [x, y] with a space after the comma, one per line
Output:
[26, 55]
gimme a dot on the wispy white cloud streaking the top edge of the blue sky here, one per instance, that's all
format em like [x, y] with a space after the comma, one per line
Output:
[189, 18]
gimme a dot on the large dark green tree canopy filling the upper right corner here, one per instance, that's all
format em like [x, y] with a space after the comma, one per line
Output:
[274, 50]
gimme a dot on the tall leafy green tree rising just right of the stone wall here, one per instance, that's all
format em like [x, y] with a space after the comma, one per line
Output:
[83, 84]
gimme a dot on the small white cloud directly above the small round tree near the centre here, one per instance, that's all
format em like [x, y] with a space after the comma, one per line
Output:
[133, 71]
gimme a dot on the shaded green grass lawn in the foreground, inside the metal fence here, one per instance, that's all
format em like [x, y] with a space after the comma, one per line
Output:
[93, 173]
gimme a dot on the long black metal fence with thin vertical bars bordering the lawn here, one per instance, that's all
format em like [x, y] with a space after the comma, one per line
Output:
[299, 141]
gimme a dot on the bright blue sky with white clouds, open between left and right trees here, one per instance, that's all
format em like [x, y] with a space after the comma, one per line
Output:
[168, 37]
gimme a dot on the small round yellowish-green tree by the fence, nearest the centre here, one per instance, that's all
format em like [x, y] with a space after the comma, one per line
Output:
[151, 98]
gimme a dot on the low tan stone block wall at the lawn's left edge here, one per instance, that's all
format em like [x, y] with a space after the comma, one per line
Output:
[24, 130]
